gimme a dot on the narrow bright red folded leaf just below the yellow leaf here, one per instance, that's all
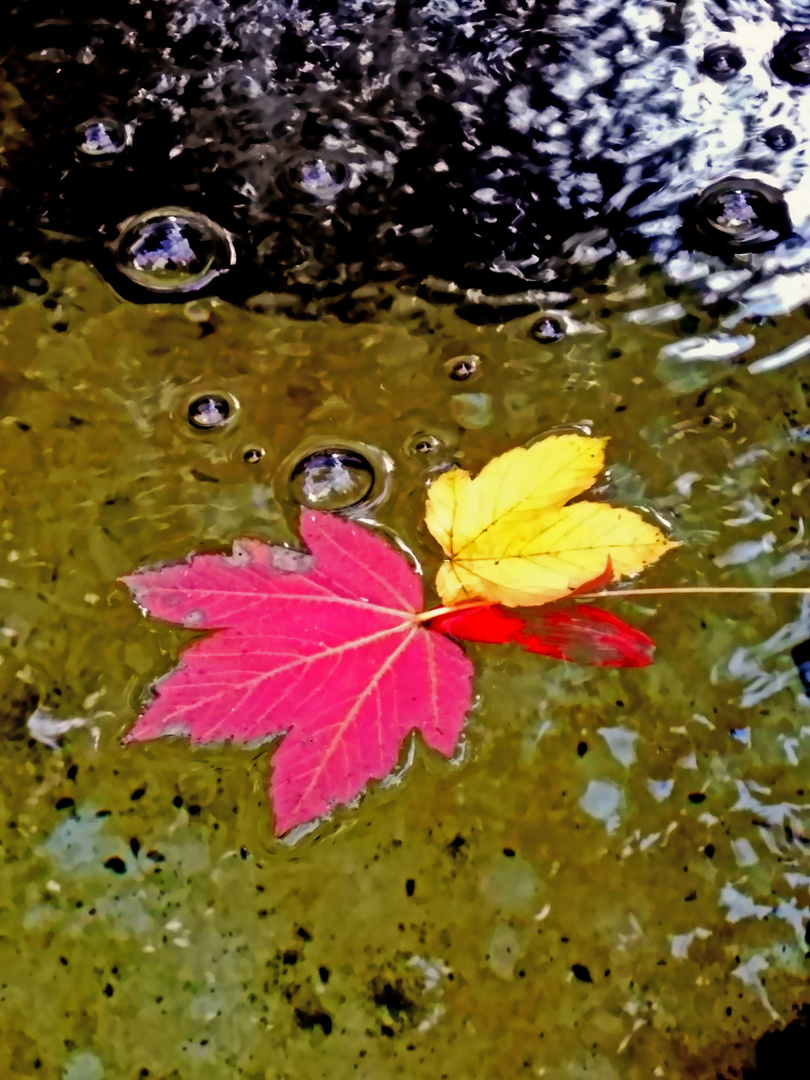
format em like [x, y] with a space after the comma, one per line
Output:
[579, 633]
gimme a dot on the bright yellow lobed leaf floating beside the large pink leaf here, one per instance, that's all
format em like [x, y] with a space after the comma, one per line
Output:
[510, 537]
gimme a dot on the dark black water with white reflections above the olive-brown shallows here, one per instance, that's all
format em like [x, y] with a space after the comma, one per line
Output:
[506, 145]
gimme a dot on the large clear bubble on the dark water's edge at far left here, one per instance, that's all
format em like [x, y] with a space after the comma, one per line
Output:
[172, 250]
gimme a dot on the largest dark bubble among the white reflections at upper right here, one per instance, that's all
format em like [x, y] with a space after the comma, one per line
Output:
[741, 215]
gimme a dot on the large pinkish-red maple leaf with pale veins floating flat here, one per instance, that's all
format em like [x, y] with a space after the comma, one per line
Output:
[323, 649]
